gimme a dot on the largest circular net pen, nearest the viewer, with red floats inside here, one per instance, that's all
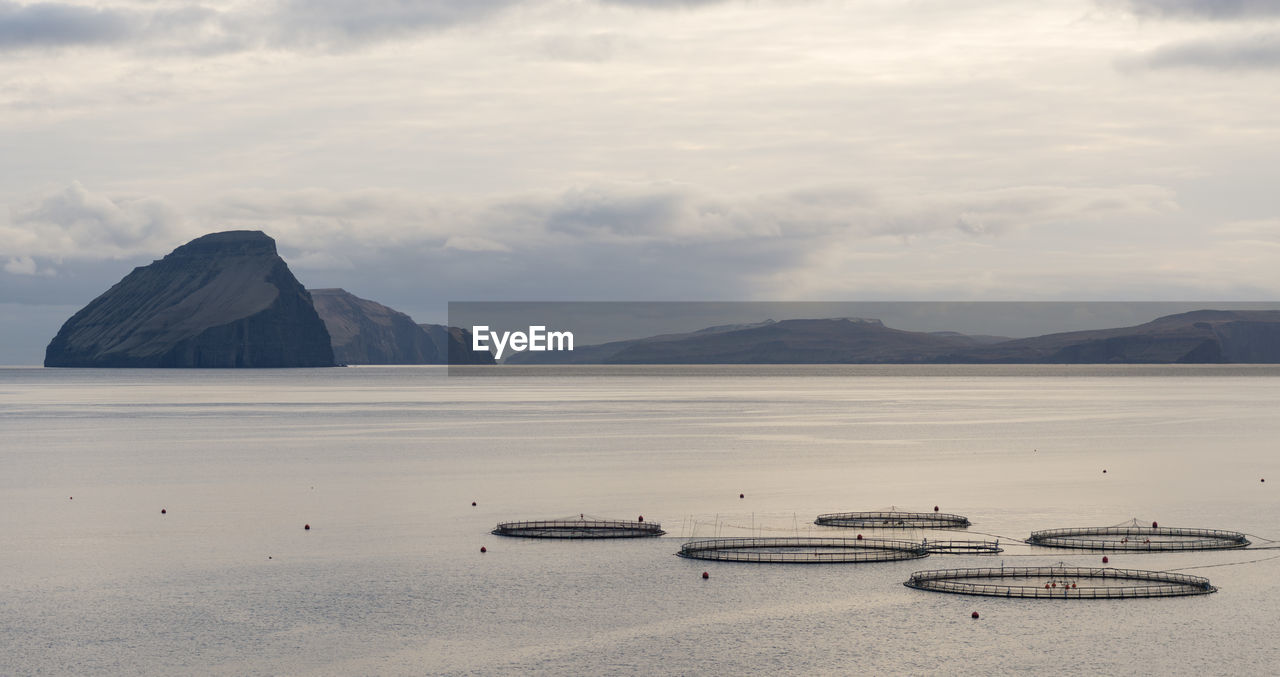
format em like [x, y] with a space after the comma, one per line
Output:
[1060, 583]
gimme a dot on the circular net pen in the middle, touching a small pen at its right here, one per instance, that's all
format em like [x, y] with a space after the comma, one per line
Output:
[803, 551]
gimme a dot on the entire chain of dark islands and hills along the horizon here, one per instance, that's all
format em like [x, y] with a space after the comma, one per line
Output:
[228, 300]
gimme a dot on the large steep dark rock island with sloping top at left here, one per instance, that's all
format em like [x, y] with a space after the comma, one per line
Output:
[225, 300]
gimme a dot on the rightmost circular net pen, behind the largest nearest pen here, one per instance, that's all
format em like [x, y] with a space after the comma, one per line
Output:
[1139, 539]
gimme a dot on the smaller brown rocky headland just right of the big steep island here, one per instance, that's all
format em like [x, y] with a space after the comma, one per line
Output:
[369, 333]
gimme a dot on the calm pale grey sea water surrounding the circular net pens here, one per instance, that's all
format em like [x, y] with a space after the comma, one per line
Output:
[385, 465]
